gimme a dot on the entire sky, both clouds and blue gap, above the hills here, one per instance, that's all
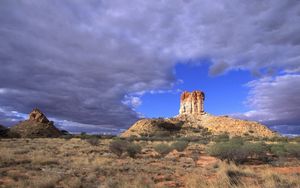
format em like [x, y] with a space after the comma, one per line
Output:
[98, 66]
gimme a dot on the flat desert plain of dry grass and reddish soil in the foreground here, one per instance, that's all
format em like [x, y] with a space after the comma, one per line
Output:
[99, 162]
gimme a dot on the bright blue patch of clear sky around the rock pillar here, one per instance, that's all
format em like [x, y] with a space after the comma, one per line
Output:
[225, 94]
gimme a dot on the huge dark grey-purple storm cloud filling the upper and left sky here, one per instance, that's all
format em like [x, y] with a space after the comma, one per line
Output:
[77, 60]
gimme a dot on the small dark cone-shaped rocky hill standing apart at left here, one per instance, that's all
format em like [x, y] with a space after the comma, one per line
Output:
[36, 126]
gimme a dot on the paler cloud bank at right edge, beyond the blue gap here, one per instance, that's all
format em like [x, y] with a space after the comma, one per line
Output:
[276, 102]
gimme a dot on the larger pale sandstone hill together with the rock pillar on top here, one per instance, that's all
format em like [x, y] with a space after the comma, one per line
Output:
[193, 121]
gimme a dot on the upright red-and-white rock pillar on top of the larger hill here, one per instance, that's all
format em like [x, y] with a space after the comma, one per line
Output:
[192, 103]
